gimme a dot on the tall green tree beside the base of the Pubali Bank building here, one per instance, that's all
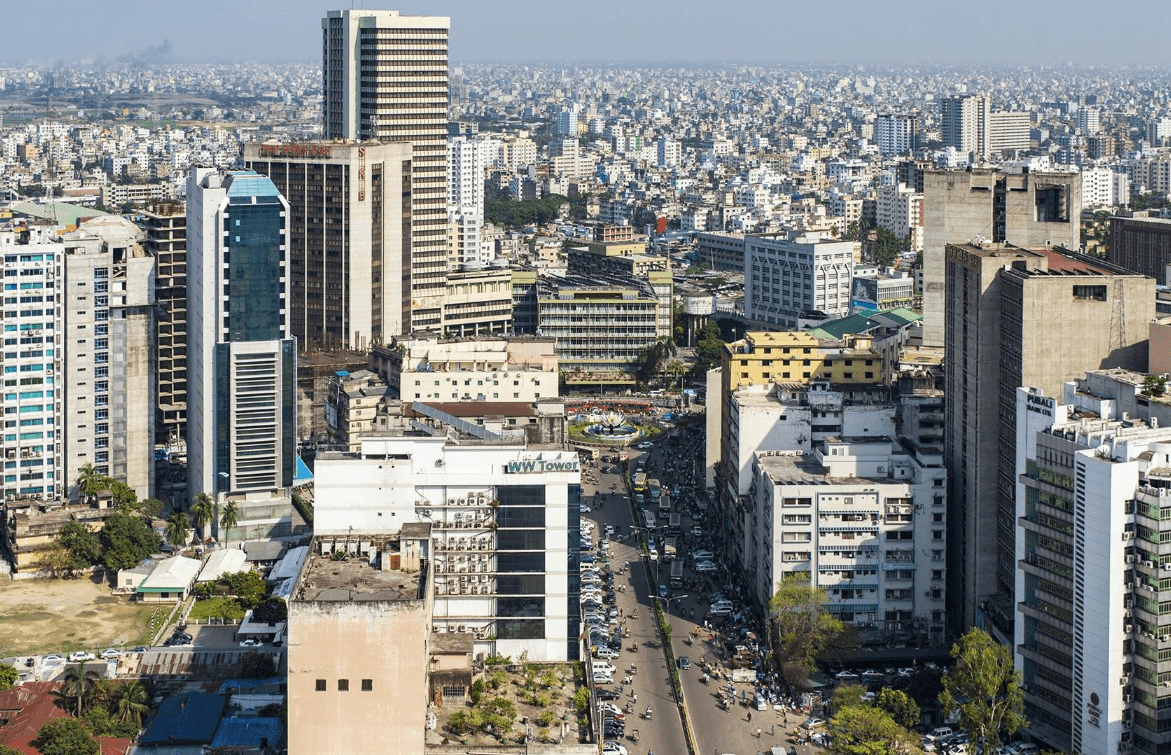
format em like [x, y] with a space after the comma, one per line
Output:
[985, 689]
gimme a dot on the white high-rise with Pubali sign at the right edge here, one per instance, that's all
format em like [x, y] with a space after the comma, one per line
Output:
[1093, 483]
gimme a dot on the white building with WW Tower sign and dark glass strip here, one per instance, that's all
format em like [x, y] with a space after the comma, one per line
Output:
[504, 524]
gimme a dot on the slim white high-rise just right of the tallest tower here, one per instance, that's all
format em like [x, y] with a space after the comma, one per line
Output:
[467, 157]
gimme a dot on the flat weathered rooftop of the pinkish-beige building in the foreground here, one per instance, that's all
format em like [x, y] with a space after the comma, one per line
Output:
[330, 578]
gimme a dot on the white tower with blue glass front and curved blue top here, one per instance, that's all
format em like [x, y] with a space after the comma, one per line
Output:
[242, 408]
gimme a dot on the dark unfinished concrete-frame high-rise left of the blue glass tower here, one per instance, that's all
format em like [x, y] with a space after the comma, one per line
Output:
[167, 242]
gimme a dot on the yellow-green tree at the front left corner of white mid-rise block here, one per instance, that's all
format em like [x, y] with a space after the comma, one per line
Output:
[803, 628]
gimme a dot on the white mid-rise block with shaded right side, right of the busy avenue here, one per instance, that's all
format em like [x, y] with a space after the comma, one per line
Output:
[866, 520]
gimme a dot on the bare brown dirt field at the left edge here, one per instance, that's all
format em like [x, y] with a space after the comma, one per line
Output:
[46, 616]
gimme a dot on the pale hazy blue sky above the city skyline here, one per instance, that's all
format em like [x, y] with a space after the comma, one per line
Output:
[1023, 32]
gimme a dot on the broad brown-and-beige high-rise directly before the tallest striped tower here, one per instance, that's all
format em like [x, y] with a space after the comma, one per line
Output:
[350, 238]
